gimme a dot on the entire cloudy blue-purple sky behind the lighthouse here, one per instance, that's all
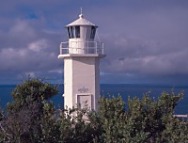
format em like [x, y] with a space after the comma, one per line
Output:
[146, 41]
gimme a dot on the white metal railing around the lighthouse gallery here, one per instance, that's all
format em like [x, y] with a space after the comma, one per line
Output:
[80, 47]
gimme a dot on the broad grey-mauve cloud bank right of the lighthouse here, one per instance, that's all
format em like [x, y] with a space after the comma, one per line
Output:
[147, 43]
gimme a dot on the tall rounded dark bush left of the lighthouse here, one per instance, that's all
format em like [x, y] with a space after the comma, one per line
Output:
[26, 112]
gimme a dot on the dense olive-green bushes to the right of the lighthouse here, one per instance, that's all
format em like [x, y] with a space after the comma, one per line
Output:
[144, 120]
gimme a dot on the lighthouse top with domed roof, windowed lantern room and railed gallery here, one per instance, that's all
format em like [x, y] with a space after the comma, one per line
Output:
[81, 39]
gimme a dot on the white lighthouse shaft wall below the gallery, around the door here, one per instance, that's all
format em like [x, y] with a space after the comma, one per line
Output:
[82, 78]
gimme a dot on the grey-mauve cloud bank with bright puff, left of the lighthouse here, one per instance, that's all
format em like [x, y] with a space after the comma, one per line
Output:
[25, 49]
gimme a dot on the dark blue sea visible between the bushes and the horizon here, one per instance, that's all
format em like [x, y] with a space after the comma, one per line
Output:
[124, 90]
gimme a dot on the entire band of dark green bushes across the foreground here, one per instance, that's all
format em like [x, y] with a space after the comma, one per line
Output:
[31, 118]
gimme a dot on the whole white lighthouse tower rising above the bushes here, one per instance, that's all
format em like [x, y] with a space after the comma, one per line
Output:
[81, 54]
